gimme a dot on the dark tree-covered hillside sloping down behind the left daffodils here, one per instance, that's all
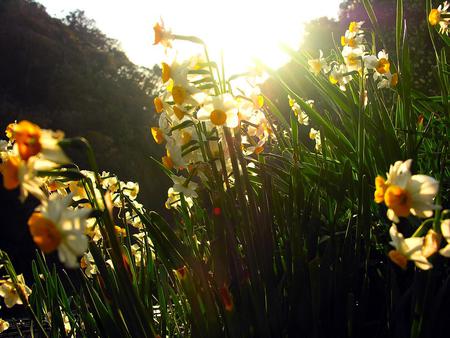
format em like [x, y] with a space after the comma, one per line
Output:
[66, 74]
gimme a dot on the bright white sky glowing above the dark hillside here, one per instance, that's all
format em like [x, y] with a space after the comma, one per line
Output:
[242, 29]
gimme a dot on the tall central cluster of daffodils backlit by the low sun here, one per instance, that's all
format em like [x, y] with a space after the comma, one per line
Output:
[197, 109]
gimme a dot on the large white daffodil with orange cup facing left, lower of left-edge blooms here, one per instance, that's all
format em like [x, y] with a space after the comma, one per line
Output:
[56, 226]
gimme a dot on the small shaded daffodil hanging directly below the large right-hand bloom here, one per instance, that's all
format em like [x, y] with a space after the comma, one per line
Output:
[407, 249]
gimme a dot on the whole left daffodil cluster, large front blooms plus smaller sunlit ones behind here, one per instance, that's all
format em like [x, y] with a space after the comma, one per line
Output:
[62, 221]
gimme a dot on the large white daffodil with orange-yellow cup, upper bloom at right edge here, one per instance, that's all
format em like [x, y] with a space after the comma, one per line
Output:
[406, 194]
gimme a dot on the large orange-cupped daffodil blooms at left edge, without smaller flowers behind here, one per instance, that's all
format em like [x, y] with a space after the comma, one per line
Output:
[54, 225]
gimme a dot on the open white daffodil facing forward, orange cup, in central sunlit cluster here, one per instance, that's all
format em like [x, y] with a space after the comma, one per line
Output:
[221, 110]
